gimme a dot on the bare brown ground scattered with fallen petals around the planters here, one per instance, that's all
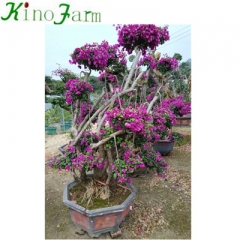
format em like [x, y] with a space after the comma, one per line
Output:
[161, 209]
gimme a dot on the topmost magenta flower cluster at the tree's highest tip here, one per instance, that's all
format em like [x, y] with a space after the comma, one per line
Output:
[143, 36]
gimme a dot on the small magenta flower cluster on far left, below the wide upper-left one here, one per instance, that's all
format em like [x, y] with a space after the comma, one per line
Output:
[76, 89]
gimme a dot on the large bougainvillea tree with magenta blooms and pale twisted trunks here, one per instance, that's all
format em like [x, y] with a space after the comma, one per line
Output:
[113, 135]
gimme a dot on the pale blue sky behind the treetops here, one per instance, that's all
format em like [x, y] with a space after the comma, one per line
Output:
[60, 42]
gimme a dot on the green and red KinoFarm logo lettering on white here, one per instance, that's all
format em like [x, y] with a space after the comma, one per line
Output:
[22, 12]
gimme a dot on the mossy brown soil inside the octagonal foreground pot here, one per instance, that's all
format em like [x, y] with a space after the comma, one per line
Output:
[119, 194]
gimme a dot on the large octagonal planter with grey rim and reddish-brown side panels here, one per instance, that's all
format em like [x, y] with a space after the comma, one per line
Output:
[98, 221]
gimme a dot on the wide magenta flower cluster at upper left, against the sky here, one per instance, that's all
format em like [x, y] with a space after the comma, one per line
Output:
[97, 56]
